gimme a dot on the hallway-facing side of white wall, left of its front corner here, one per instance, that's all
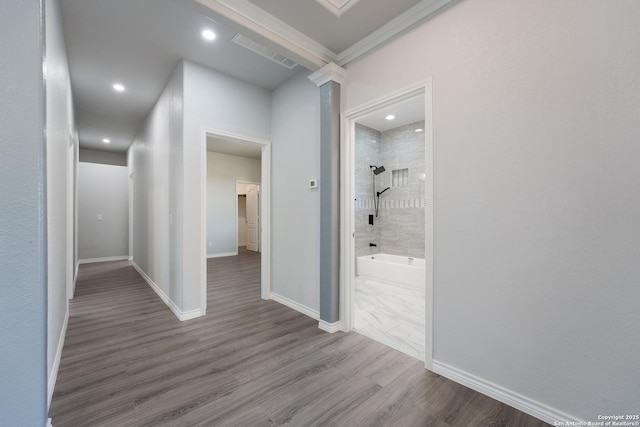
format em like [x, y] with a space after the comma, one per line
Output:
[149, 164]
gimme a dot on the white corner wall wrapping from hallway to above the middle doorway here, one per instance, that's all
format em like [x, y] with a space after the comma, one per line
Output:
[168, 165]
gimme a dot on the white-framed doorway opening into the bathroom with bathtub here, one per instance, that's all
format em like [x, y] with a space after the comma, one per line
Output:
[387, 213]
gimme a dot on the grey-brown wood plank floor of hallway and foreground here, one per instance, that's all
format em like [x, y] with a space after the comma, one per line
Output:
[127, 361]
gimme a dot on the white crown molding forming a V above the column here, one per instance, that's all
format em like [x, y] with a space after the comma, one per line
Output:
[303, 49]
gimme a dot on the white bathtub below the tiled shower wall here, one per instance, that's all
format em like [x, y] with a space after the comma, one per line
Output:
[394, 269]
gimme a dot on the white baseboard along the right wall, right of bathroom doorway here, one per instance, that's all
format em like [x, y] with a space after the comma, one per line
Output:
[532, 407]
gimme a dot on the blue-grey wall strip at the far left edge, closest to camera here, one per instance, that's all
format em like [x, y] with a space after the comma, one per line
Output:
[23, 232]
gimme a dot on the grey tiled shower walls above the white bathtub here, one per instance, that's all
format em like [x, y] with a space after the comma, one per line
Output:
[399, 228]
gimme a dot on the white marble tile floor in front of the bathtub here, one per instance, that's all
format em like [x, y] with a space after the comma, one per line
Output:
[391, 314]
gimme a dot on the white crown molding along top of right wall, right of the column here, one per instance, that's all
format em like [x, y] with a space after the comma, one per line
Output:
[395, 27]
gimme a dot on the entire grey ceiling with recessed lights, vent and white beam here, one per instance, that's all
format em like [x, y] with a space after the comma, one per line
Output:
[139, 43]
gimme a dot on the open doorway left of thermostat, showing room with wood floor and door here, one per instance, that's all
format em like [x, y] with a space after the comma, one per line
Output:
[237, 209]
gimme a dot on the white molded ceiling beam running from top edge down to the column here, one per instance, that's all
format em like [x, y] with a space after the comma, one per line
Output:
[305, 50]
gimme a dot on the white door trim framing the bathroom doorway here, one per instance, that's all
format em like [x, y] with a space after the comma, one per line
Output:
[347, 210]
